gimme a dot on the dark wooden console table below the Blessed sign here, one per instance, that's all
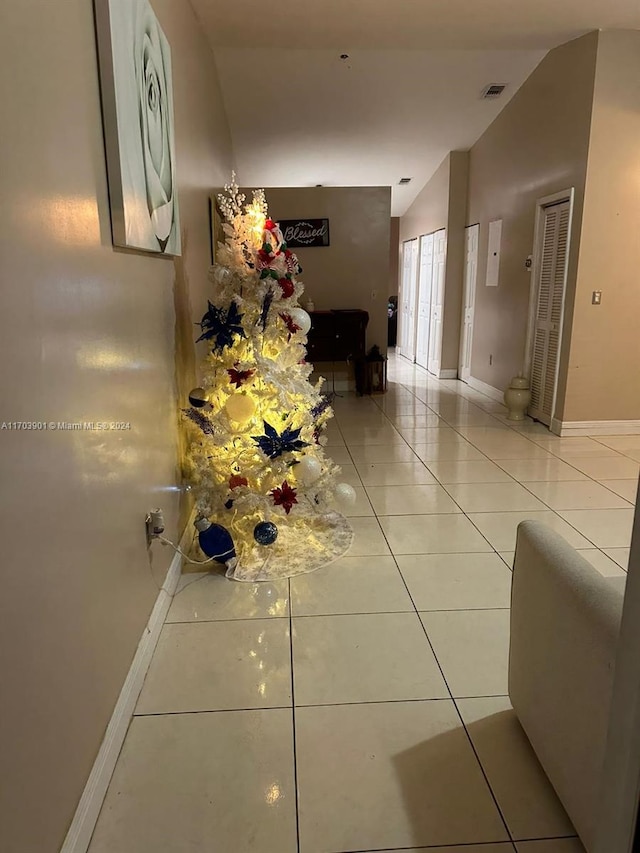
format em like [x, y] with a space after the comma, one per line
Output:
[337, 335]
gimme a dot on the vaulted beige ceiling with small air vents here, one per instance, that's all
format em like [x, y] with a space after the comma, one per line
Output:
[407, 93]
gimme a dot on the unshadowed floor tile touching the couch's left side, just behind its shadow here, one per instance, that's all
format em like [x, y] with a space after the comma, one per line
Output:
[472, 647]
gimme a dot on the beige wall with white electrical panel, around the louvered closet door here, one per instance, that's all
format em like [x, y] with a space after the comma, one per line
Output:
[537, 146]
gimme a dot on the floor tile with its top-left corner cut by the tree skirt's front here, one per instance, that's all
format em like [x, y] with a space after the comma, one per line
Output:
[351, 585]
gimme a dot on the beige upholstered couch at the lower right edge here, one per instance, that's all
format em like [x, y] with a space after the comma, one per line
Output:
[565, 622]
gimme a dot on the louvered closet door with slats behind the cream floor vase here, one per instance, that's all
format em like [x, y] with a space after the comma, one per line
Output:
[549, 311]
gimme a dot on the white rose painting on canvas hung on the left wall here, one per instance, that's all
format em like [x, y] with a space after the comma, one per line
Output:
[137, 106]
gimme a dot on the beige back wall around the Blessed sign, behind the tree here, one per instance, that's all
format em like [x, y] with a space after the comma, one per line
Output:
[344, 274]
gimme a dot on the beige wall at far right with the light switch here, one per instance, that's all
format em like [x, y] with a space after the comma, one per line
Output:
[604, 364]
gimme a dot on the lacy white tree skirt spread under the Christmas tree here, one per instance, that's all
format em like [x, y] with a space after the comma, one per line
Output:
[315, 540]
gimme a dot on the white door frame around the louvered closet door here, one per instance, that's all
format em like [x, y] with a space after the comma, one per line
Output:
[541, 204]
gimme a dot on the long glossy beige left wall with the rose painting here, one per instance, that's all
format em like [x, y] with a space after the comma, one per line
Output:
[87, 333]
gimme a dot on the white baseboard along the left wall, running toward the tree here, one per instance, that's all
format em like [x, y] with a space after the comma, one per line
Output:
[79, 835]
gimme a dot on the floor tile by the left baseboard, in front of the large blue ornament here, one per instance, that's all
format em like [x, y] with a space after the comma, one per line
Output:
[211, 597]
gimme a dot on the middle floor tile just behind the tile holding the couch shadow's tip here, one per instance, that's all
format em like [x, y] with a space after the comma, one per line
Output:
[365, 658]
